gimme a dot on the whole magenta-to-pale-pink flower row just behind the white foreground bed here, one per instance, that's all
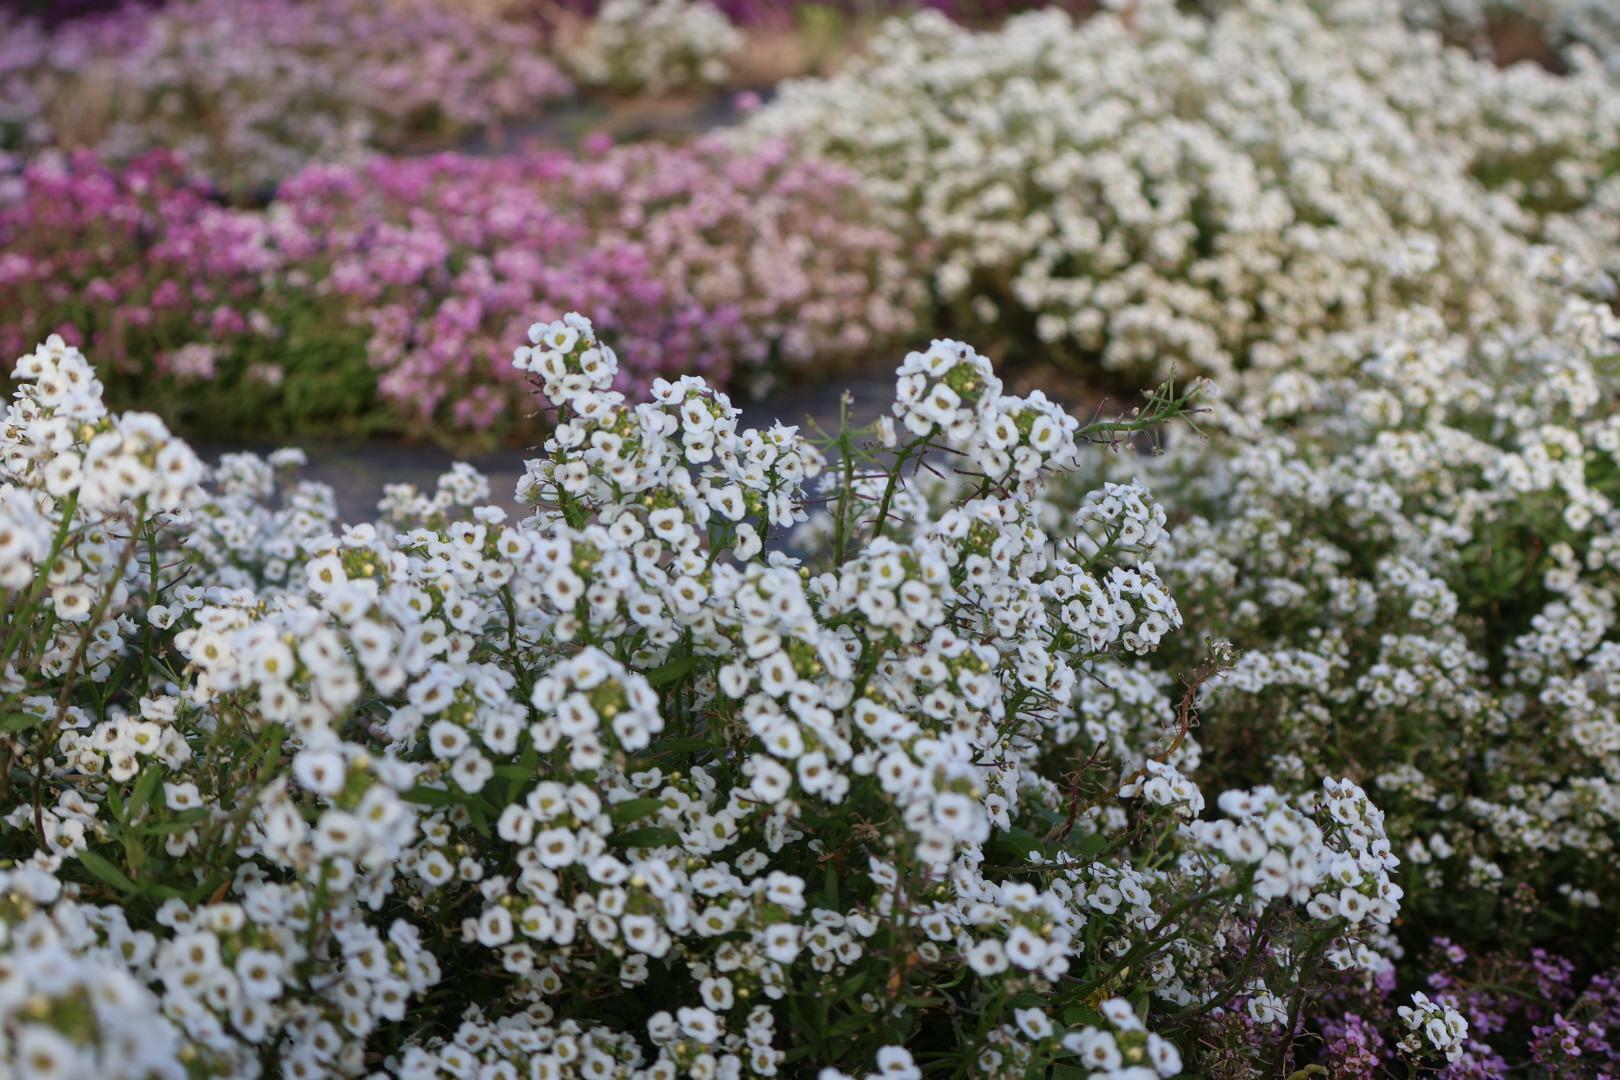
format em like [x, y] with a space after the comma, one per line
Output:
[699, 258]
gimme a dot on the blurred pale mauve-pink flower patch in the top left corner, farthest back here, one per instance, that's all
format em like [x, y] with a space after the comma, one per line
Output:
[252, 90]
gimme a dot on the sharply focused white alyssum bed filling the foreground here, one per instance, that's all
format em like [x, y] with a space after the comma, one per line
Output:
[623, 788]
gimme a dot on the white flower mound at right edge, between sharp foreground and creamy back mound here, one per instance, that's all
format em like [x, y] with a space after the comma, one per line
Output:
[1447, 582]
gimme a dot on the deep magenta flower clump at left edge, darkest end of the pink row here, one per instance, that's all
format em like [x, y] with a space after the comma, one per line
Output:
[168, 286]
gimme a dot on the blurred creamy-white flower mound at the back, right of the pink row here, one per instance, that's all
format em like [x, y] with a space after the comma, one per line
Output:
[1153, 190]
